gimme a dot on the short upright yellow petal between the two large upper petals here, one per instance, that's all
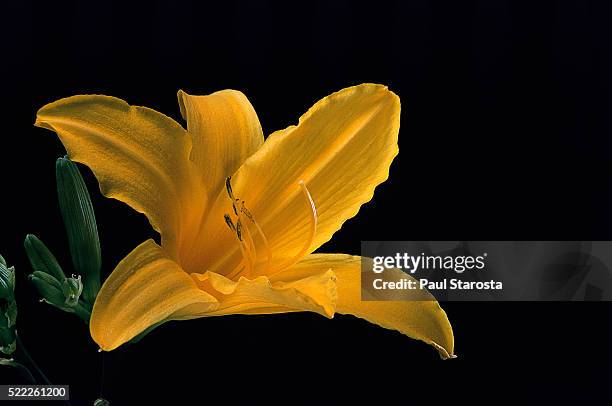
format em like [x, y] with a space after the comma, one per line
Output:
[225, 131]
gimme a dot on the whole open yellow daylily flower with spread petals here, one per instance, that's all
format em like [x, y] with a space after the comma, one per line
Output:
[245, 245]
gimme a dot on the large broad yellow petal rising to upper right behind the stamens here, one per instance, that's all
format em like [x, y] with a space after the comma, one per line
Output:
[342, 149]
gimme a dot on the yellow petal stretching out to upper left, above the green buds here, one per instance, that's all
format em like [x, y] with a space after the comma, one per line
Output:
[139, 156]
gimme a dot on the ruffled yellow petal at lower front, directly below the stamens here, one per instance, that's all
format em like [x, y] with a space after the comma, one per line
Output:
[315, 292]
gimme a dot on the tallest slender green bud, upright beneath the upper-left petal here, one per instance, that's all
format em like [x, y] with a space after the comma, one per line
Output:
[81, 228]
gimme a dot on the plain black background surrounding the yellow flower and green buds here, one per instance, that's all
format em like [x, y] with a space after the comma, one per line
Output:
[505, 135]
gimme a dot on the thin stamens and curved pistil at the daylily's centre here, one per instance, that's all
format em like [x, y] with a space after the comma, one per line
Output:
[241, 222]
